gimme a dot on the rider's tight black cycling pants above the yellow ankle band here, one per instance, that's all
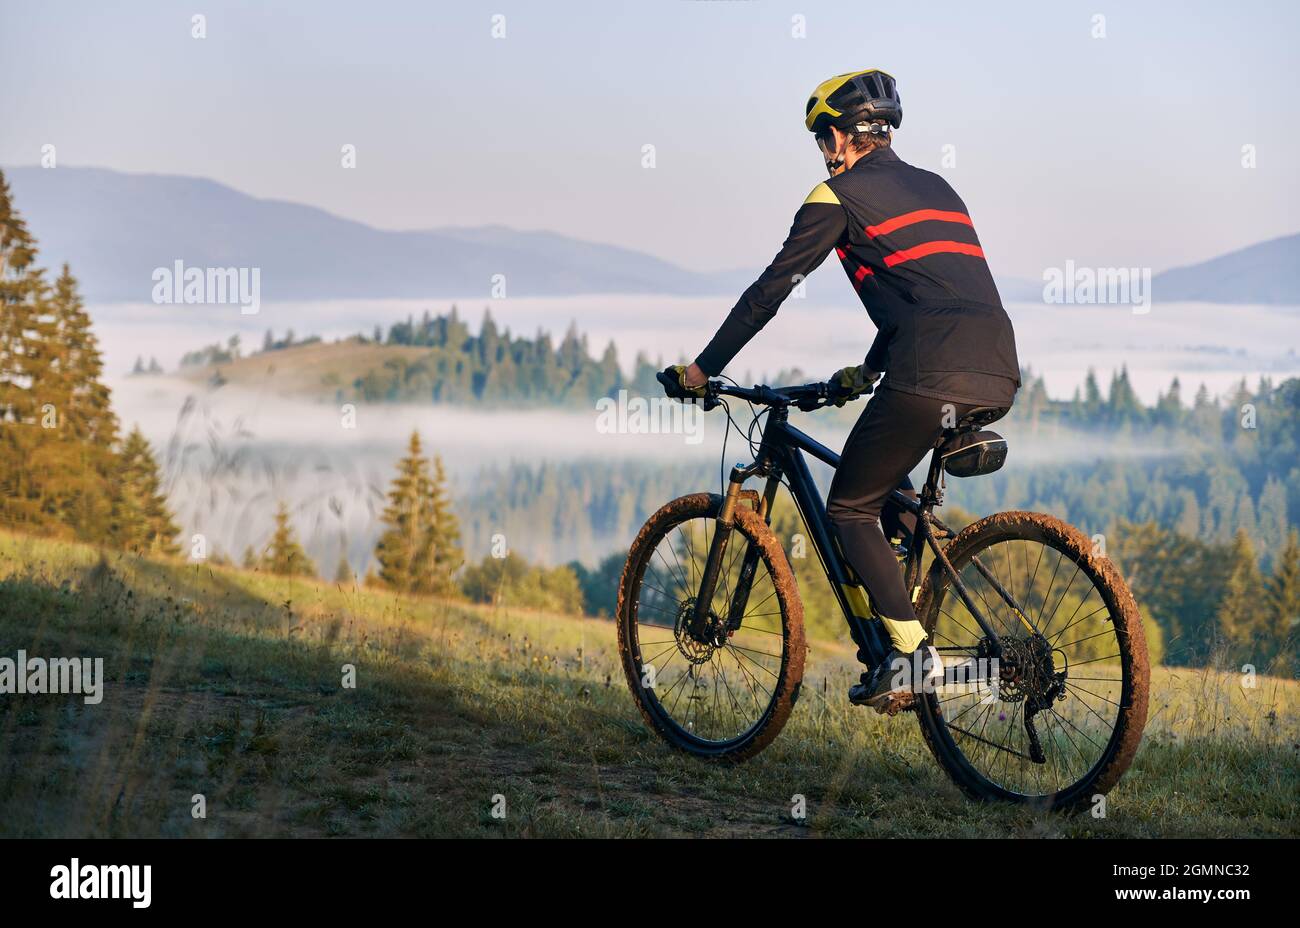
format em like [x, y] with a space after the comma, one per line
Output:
[894, 435]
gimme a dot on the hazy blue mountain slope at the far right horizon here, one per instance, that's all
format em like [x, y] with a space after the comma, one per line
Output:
[1268, 272]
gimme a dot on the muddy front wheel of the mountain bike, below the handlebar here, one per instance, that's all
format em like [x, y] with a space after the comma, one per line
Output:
[752, 686]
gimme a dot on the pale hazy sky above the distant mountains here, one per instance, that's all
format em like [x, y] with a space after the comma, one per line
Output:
[1124, 150]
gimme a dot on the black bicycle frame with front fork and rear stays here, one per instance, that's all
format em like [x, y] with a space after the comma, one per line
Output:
[781, 454]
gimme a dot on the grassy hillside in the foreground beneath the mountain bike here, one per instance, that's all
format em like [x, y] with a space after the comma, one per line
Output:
[228, 684]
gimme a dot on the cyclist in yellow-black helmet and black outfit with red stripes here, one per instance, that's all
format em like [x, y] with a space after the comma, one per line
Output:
[943, 341]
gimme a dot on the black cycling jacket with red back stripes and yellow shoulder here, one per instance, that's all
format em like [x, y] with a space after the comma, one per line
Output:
[908, 245]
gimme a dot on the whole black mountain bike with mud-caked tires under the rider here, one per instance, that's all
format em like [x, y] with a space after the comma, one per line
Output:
[1045, 692]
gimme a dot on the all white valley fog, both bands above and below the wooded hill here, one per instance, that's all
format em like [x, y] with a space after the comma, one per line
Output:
[231, 456]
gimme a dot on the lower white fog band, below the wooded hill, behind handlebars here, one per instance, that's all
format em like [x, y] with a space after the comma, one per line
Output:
[231, 457]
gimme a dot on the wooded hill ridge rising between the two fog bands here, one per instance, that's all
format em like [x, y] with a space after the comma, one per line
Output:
[439, 359]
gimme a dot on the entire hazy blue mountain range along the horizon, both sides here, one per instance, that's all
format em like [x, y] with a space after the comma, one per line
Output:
[116, 229]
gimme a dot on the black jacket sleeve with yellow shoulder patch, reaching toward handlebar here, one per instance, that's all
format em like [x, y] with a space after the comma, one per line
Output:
[818, 227]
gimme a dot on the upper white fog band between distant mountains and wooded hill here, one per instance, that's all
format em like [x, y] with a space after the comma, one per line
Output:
[1202, 344]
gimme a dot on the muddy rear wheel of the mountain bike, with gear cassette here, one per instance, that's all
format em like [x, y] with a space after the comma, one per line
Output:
[1058, 719]
